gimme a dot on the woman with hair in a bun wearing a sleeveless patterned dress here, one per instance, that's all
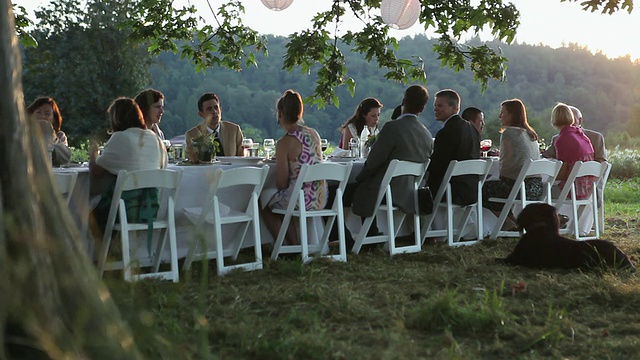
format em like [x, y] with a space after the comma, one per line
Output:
[299, 145]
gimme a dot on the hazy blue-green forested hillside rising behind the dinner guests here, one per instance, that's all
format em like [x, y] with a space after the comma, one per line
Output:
[604, 89]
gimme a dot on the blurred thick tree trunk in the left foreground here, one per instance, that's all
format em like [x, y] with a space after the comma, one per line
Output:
[49, 289]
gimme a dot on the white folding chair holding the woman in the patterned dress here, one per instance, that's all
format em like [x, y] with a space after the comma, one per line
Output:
[296, 208]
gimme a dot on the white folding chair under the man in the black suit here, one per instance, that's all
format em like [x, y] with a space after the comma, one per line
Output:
[443, 200]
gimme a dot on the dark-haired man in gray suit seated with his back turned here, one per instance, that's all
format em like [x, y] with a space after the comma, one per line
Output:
[404, 138]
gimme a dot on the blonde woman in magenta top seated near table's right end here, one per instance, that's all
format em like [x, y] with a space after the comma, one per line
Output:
[571, 145]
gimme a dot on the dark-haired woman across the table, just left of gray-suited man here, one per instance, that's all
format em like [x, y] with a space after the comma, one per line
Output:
[367, 114]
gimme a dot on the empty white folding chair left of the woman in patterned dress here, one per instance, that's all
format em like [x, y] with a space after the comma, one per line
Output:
[246, 215]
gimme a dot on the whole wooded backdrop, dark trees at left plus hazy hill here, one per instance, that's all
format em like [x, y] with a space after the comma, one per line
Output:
[84, 80]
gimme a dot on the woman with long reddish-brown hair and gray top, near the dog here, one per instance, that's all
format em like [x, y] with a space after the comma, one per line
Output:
[518, 144]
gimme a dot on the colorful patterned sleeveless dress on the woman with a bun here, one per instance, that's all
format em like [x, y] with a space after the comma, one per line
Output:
[315, 192]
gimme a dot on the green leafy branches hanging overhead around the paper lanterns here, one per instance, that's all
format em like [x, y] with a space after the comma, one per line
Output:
[229, 43]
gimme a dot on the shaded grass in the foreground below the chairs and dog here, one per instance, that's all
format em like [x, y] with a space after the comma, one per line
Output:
[444, 303]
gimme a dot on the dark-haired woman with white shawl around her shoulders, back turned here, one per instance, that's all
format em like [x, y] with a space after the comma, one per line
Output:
[131, 147]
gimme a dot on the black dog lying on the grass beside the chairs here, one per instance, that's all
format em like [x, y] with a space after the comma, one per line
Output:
[543, 247]
